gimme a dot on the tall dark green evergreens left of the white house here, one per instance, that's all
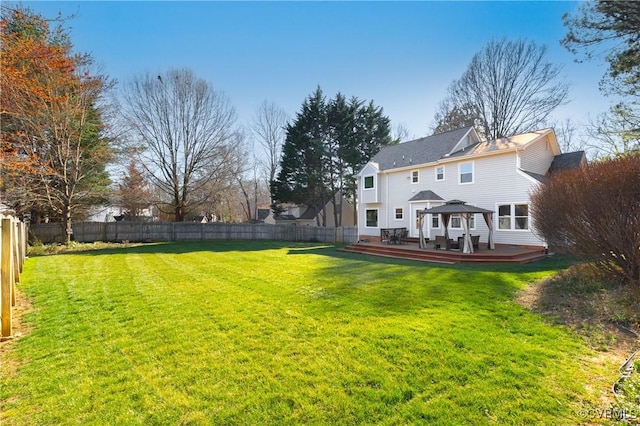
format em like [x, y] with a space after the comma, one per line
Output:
[325, 147]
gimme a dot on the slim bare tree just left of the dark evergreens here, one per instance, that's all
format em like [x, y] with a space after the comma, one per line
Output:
[268, 128]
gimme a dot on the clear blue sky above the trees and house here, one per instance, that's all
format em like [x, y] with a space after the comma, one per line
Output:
[401, 55]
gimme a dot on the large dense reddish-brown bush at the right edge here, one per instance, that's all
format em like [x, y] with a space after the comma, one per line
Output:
[594, 212]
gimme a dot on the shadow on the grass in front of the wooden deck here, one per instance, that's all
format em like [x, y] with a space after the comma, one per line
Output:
[382, 286]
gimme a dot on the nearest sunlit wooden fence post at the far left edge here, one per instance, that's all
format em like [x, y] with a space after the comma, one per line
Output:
[6, 278]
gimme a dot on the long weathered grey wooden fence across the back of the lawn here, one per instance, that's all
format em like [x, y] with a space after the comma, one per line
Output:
[89, 232]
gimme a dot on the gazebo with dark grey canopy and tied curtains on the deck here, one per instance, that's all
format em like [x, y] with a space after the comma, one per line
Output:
[465, 211]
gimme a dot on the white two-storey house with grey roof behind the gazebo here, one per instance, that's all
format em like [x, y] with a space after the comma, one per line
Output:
[404, 179]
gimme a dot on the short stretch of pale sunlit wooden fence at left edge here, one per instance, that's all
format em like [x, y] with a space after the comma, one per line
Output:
[13, 252]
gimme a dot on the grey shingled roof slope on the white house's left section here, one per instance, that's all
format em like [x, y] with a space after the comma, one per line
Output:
[419, 151]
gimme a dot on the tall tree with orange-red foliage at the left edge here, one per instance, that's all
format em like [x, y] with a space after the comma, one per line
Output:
[53, 150]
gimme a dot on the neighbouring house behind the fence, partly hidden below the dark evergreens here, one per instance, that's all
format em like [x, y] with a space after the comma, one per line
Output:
[308, 216]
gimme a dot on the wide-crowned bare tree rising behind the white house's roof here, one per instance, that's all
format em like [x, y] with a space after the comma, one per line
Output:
[511, 86]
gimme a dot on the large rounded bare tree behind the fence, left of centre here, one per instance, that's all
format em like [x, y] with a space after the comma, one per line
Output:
[185, 127]
